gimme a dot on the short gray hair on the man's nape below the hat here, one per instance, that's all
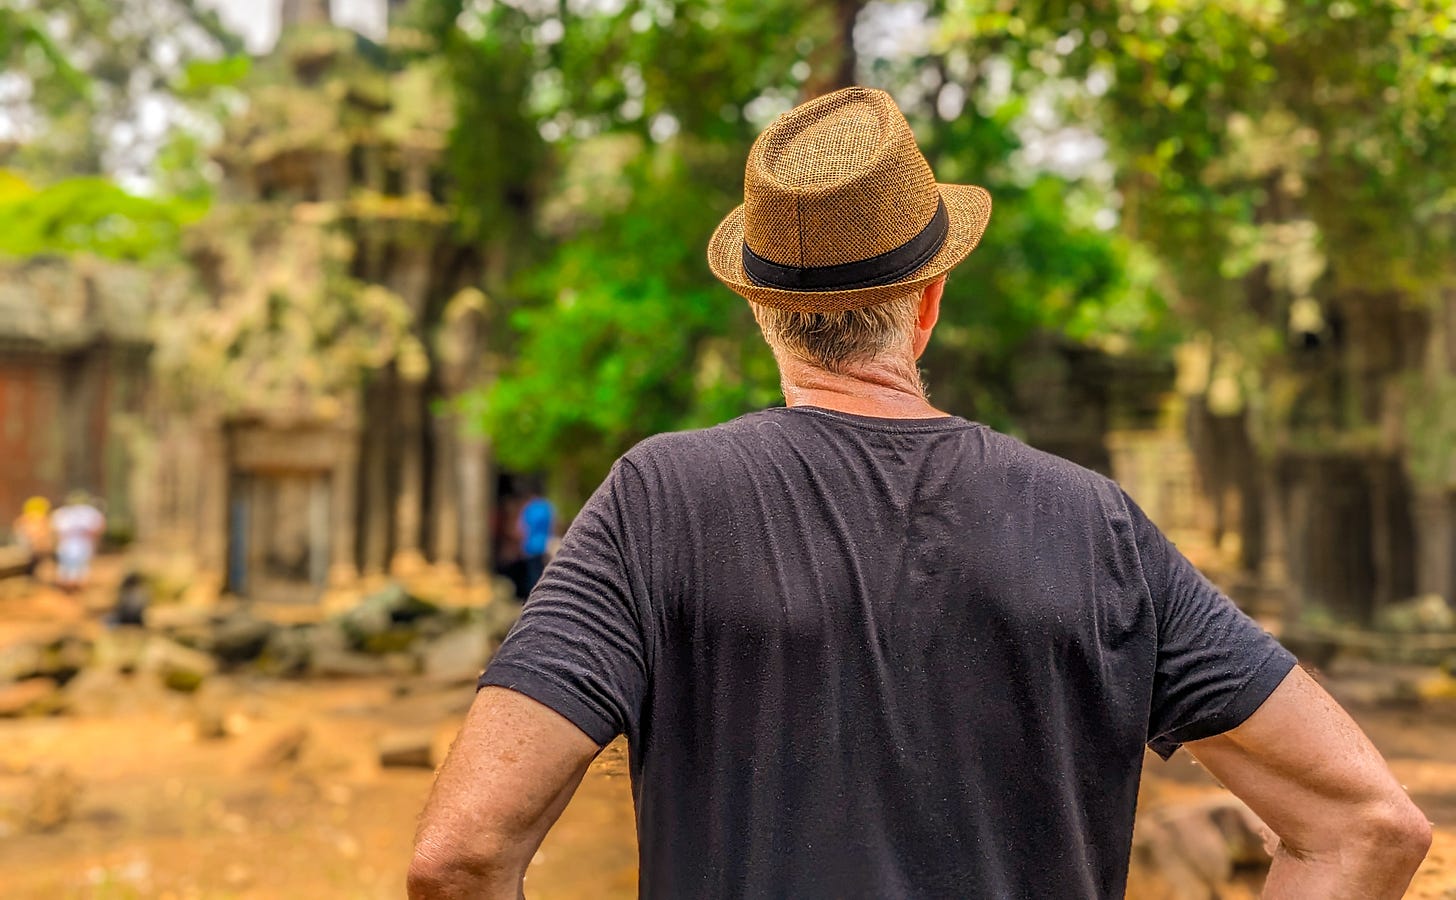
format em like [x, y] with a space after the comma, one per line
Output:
[838, 342]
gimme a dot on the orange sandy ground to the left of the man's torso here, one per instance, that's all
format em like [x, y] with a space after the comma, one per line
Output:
[161, 812]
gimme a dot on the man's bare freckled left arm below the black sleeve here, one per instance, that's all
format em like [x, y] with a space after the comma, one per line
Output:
[507, 778]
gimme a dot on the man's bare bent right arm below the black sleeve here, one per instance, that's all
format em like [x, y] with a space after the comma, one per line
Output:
[1346, 828]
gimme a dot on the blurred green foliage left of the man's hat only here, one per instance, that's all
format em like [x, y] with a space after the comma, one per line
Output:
[615, 330]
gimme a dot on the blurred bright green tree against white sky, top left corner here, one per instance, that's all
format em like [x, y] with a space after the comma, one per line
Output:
[101, 87]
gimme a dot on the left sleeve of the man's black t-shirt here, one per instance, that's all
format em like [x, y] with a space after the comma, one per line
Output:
[579, 646]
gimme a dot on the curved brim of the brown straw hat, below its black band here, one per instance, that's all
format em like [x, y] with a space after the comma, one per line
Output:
[968, 206]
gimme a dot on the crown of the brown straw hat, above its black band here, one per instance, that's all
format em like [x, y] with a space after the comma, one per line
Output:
[835, 181]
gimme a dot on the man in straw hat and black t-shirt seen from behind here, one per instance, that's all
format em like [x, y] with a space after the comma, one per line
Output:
[864, 649]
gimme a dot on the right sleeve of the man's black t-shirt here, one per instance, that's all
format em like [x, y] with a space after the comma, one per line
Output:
[1215, 665]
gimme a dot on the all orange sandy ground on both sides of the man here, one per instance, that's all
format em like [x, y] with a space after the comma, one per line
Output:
[273, 790]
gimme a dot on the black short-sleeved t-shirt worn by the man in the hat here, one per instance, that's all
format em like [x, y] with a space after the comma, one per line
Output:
[864, 658]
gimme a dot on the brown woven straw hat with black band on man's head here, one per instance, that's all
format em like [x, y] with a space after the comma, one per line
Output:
[842, 212]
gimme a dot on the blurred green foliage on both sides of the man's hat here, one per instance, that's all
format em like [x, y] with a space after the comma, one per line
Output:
[599, 152]
